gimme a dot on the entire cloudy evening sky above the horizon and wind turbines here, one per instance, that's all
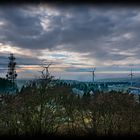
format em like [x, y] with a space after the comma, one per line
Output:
[73, 38]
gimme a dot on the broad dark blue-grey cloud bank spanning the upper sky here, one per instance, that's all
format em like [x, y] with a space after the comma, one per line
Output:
[83, 29]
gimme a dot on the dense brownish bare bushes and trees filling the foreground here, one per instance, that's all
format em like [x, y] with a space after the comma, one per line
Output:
[43, 107]
